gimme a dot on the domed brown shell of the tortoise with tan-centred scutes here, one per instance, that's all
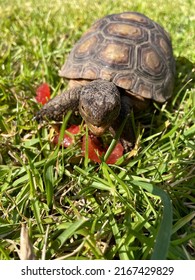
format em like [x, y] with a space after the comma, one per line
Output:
[129, 49]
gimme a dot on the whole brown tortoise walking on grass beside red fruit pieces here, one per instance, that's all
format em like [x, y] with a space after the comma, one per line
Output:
[121, 63]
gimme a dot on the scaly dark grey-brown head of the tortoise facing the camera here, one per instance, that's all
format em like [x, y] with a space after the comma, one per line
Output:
[99, 105]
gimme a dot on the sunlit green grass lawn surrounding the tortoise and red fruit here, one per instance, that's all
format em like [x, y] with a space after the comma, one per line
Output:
[74, 208]
